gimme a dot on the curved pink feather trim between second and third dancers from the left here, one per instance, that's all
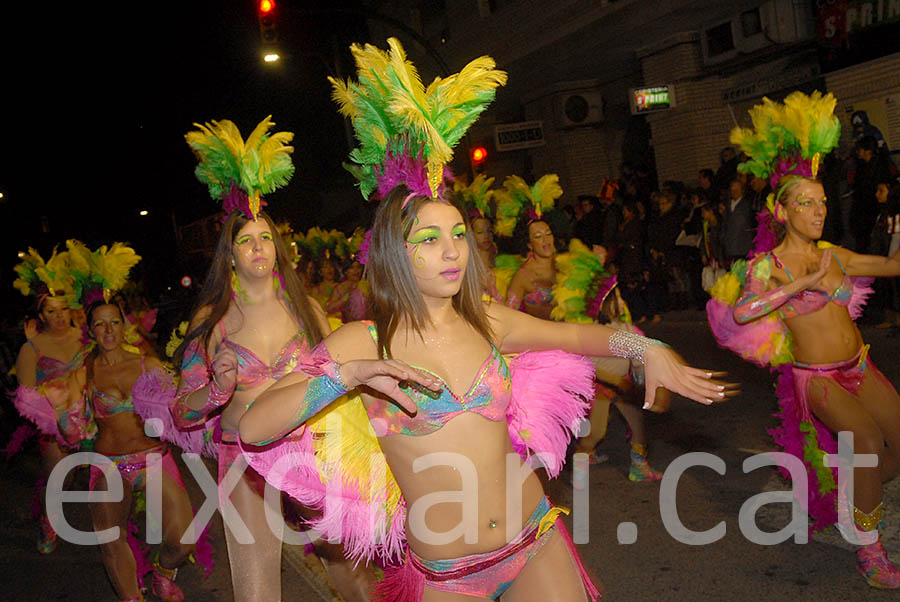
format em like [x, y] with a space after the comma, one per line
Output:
[152, 394]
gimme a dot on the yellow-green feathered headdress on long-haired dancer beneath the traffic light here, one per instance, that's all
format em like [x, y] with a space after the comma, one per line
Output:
[239, 172]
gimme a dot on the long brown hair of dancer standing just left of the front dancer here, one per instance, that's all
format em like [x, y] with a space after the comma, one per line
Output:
[216, 291]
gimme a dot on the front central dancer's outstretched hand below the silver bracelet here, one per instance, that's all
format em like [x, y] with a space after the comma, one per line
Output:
[665, 368]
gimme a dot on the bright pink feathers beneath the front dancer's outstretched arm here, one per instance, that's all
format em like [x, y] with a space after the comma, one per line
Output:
[551, 394]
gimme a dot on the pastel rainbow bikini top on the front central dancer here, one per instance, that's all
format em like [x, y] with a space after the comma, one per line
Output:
[488, 396]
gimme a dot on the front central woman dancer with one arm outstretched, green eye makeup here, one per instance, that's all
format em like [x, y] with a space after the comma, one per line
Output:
[427, 289]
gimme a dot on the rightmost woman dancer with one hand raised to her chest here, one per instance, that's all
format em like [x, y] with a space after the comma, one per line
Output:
[800, 291]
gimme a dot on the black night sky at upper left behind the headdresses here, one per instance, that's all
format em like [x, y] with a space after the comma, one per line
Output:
[93, 131]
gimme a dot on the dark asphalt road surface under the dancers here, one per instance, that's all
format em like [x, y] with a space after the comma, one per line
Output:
[655, 566]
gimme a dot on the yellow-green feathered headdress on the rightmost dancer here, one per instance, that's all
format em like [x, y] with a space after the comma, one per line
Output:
[788, 138]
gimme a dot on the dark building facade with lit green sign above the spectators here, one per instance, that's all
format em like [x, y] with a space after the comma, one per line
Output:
[574, 66]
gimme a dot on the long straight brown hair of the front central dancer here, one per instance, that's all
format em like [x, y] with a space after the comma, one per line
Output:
[395, 294]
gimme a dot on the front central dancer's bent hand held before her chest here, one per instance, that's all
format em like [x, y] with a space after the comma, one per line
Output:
[386, 376]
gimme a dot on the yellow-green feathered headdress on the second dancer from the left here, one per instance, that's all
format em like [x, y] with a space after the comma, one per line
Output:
[97, 275]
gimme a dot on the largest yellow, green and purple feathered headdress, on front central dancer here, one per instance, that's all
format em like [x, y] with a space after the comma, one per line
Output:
[407, 132]
